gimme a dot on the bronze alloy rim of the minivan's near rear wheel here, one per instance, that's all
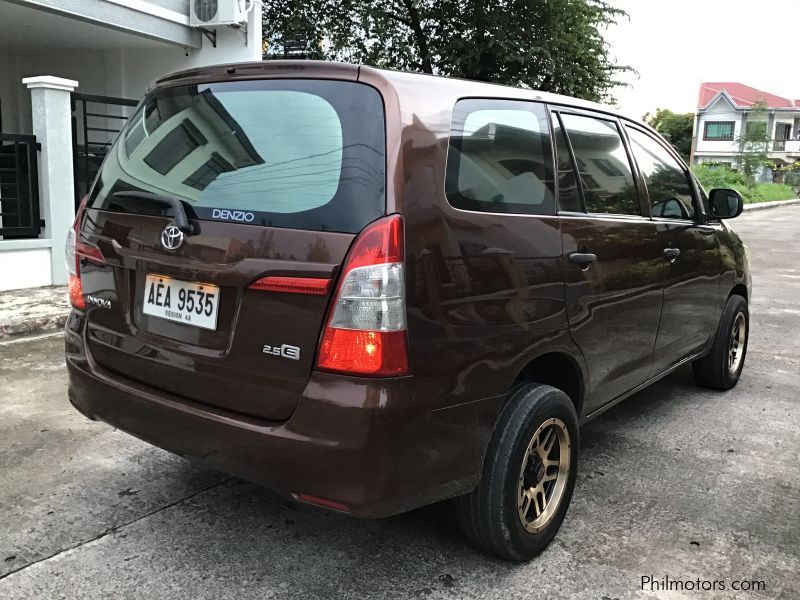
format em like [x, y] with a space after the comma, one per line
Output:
[543, 476]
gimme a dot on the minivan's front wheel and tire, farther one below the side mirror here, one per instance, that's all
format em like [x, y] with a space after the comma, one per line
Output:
[720, 369]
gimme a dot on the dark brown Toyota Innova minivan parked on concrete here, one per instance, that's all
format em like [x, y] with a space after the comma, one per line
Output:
[371, 290]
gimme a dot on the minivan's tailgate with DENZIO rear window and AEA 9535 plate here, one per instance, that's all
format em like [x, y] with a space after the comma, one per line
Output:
[277, 176]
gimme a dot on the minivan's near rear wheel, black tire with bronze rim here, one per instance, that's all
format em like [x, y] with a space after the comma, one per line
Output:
[534, 417]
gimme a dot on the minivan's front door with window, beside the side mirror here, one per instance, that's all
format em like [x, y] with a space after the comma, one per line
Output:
[692, 267]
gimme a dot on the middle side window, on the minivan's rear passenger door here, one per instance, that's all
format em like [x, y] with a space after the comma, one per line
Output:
[603, 165]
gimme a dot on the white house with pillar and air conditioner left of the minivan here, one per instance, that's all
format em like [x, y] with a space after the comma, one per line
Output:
[70, 73]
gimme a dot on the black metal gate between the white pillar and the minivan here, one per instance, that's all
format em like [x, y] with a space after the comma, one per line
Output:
[96, 123]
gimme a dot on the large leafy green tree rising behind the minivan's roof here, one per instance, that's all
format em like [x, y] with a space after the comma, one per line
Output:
[552, 45]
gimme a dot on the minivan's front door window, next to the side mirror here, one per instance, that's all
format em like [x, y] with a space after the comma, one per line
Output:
[668, 184]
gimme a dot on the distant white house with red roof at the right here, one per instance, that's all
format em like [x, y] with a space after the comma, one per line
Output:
[723, 112]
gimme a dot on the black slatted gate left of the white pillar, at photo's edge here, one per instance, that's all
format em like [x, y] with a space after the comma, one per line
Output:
[19, 187]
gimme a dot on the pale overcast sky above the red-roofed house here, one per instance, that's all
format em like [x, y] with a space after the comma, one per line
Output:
[676, 44]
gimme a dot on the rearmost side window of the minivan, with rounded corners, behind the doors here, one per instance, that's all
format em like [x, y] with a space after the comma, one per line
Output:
[499, 158]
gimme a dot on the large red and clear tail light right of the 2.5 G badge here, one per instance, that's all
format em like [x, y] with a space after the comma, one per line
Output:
[365, 333]
